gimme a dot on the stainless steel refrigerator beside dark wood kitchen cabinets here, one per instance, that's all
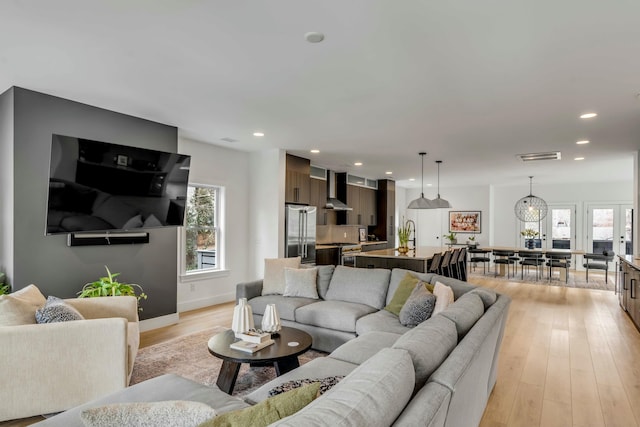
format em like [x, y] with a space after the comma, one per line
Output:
[300, 232]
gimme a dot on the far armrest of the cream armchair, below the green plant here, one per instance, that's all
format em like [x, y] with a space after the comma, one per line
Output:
[104, 307]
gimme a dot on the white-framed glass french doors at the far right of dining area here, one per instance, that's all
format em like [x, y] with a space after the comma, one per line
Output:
[610, 228]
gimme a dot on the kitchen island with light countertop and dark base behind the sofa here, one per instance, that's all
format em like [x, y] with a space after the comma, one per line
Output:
[415, 260]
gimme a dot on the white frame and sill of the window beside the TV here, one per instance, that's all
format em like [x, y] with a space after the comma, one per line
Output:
[219, 227]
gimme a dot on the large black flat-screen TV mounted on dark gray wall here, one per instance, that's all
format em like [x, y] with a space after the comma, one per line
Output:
[100, 186]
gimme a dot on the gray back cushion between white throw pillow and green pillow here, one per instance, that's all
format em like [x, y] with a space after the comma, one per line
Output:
[360, 285]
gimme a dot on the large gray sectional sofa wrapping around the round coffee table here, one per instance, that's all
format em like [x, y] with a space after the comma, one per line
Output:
[439, 373]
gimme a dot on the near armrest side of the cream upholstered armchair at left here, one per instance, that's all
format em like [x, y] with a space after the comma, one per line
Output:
[53, 367]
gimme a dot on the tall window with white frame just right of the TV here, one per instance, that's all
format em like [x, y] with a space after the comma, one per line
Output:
[202, 229]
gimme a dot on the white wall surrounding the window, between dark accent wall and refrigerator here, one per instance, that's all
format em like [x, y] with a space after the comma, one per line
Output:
[216, 165]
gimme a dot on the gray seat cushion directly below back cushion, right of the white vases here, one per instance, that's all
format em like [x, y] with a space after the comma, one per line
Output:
[338, 315]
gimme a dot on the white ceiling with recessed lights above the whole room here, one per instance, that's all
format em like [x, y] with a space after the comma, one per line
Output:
[472, 83]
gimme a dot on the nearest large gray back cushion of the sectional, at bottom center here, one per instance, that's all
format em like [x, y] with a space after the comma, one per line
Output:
[372, 395]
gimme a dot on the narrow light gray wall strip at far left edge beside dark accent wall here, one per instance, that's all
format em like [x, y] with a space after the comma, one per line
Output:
[6, 183]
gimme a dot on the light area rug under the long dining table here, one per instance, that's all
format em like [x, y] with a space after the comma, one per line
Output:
[577, 279]
